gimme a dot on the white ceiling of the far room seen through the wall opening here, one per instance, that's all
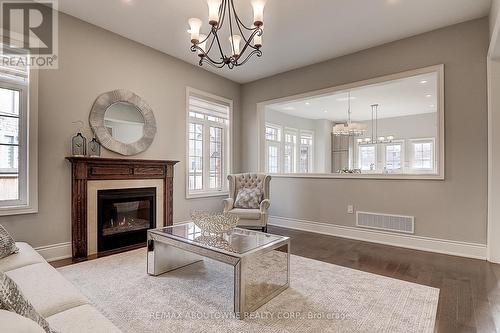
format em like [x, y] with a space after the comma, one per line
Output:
[398, 98]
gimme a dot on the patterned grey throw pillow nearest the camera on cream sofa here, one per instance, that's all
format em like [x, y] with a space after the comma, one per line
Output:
[11, 299]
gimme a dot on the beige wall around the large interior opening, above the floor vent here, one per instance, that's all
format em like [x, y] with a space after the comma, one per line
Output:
[453, 209]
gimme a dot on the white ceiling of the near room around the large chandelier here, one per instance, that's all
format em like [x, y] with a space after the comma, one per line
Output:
[297, 32]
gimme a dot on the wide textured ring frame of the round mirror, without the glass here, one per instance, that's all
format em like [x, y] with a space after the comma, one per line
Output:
[96, 120]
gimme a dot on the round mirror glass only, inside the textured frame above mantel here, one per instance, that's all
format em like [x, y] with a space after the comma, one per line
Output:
[124, 122]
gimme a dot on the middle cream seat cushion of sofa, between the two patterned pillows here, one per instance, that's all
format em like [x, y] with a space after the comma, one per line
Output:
[46, 289]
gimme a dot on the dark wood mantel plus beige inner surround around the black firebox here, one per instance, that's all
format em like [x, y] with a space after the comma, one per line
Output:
[119, 173]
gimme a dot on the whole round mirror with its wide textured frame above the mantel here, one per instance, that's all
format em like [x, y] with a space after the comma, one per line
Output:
[123, 122]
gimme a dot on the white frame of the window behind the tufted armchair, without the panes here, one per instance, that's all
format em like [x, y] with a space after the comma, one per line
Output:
[227, 147]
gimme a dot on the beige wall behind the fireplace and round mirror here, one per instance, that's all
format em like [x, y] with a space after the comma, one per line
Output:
[93, 61]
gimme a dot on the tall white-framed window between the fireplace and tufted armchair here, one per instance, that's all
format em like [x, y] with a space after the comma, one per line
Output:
[208, 144]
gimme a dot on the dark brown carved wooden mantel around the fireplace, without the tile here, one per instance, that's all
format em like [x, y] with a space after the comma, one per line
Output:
[86, 169]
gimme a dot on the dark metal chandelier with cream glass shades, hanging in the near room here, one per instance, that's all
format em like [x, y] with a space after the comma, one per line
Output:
[210, 48]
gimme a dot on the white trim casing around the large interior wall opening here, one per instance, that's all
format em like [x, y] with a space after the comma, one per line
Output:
[440, 175]
